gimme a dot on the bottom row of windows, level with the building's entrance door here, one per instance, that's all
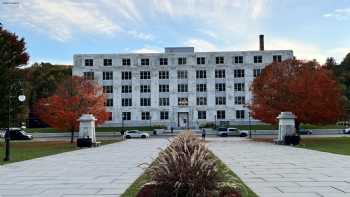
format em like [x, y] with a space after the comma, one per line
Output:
[164, 115]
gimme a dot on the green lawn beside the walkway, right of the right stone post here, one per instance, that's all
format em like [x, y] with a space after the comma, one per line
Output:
[338, 145]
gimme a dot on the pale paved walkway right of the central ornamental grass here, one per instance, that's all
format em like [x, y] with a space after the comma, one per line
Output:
[273, 170]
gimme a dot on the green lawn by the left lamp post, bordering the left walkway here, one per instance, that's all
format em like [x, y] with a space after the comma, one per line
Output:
[24, 150]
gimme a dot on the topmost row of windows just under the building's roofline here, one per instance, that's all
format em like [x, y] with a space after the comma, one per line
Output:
[183, 60]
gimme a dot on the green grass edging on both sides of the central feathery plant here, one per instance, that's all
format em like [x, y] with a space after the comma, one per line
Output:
[223, 169]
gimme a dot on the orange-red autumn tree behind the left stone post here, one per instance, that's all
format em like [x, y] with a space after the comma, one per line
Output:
[72, 98]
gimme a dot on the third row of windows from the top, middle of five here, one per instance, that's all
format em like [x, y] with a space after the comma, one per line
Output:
[219, 87]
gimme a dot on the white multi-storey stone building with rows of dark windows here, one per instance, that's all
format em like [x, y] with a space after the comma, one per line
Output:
[177, 88]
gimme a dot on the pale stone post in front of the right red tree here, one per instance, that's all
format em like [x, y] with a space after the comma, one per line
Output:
[286, 126]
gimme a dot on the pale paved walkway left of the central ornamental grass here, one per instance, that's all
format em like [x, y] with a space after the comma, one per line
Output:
[103, 171]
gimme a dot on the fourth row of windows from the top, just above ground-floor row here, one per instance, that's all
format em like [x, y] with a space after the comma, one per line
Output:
[182, 101]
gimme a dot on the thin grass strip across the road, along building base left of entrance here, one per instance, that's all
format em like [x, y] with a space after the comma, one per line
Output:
[98, 129]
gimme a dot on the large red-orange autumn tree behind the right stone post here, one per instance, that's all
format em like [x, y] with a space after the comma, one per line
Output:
[304, 88]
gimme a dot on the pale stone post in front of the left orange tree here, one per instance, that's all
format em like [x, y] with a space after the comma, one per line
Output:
[87, 127]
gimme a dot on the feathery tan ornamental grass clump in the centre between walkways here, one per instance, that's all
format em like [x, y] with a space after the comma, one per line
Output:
[185, 168]
